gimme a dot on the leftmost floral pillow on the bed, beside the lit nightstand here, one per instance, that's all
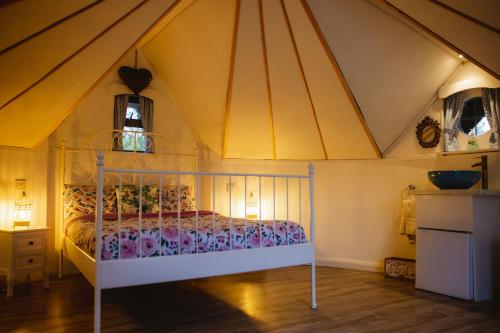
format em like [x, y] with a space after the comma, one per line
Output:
[81, 200]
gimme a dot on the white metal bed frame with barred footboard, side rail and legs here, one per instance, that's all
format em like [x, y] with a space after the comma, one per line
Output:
[147, 270]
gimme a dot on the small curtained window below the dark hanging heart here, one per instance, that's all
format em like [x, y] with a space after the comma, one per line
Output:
[132, 123]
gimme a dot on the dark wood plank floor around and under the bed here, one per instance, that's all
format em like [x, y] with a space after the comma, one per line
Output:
[269, 301]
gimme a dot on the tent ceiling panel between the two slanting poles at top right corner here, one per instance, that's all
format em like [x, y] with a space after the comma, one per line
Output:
[480, 43]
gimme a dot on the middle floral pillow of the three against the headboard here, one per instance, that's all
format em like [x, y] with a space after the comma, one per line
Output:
[129, 198]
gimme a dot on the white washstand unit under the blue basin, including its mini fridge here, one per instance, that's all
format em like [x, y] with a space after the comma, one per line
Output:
[458, 235]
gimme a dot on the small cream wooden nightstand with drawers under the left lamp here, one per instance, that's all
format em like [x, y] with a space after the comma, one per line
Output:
[23, 251]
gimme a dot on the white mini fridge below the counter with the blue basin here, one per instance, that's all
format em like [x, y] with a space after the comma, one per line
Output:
[445, 262]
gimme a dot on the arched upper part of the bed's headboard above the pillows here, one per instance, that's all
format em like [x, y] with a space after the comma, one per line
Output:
[162, 152]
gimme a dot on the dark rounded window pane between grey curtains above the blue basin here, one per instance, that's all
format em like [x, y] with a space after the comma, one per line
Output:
[473, 120]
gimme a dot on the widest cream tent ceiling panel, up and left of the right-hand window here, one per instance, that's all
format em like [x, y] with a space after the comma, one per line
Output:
[392, 70]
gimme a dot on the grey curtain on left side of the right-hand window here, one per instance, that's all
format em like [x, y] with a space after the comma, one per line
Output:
[453, 106]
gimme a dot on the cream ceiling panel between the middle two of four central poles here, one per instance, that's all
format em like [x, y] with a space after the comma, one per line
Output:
[296, 133]
